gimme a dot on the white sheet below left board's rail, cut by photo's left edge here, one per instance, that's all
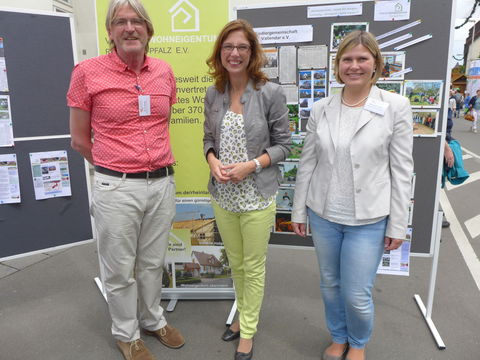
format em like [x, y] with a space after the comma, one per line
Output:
[9, 184]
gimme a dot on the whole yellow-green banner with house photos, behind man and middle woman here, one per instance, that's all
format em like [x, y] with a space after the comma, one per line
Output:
[185, 32]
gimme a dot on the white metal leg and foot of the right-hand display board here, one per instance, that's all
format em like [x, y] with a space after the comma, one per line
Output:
[427, 311]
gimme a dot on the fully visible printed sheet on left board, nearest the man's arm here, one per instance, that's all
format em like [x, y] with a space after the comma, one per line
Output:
[51, 177]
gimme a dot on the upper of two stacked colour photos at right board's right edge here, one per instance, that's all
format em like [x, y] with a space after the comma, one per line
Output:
[424, 93]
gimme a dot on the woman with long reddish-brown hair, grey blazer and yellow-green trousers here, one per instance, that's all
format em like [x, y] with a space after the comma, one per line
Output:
[246, 133]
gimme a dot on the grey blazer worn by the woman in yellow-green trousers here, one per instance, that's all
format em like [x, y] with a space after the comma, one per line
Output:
[265, 117]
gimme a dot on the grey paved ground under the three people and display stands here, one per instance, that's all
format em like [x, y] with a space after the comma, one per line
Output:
[51, 309]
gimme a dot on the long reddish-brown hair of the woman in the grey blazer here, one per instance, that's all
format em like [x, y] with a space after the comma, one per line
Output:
[257, 57]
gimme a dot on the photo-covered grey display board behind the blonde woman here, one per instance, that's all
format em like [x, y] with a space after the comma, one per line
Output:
[421, 66]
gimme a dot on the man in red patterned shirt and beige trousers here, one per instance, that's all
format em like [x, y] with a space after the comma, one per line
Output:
[124, 99]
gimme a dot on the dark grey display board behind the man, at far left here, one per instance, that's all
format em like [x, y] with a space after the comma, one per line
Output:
[51, 209]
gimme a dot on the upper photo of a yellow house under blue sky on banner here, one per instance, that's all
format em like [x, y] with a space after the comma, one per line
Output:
[199, 219]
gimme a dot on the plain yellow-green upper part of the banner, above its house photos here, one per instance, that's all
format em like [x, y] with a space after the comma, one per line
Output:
[185, 31]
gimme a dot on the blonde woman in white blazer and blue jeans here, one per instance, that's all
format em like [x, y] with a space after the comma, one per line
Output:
[354, 181]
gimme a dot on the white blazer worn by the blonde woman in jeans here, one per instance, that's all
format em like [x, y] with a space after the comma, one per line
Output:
[382, 163]
